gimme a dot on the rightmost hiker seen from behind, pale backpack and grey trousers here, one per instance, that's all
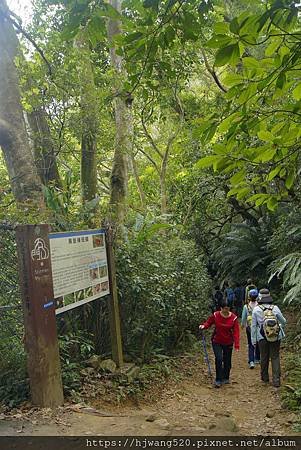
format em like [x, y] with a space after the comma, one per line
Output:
[267, 322]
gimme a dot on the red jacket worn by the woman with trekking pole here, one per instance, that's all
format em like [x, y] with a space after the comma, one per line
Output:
[226, 329]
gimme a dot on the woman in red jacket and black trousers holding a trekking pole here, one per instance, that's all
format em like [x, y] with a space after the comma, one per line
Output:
[226, 333]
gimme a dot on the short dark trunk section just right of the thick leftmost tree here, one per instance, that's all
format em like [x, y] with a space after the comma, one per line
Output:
[44, 149]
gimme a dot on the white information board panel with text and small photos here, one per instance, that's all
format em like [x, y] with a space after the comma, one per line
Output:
[79, 268]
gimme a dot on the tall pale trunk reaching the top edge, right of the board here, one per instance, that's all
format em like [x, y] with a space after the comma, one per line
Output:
[124, 126]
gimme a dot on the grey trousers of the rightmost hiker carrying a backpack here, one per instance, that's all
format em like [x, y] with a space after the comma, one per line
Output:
[270, 350]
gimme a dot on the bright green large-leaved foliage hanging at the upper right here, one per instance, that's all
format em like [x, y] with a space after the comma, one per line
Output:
[258, 134]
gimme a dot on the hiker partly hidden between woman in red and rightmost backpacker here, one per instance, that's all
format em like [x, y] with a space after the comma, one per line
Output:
[246, 322]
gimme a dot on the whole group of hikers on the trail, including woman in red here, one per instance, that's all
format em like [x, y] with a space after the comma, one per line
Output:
[263, 322]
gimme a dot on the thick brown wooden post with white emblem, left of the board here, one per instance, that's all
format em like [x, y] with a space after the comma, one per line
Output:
[41, 341]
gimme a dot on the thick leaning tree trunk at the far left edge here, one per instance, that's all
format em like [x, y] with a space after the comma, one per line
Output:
[26, 185]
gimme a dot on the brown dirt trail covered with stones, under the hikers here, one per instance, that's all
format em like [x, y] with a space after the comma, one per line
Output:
[189, 408]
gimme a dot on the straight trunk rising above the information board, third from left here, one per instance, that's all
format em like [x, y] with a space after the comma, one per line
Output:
[90, 122]
